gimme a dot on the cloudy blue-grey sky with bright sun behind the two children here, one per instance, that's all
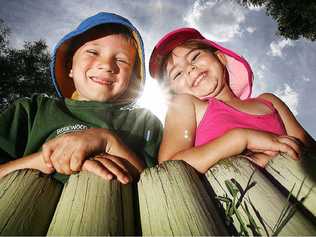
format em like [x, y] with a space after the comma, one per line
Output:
[283, 67]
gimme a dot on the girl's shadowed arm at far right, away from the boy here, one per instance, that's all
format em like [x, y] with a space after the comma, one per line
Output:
[292, 126]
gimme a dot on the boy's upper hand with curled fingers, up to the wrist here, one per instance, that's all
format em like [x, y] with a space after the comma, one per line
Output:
[68, 152]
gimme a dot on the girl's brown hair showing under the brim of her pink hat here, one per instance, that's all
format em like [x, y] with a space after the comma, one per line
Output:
[190, 44]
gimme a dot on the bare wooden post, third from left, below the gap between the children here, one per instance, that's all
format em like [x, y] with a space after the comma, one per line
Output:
[174, 201]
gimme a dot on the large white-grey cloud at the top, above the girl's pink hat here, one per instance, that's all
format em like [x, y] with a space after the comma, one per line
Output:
[219, 20]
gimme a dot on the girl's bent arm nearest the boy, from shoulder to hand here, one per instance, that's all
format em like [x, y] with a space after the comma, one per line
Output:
[179, 135]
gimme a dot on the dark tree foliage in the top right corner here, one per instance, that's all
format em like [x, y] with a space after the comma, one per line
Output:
[295, 18]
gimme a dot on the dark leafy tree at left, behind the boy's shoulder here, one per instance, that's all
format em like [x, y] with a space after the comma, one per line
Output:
[22, 71]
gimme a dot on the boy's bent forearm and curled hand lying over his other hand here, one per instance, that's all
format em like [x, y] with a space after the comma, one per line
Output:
[68, 152]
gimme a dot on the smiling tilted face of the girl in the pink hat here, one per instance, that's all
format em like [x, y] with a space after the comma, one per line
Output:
[197, 72]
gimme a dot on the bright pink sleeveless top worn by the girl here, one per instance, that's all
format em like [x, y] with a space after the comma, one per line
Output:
[220, 118]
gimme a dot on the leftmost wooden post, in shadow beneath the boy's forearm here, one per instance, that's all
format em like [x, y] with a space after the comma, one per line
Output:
[27, 202]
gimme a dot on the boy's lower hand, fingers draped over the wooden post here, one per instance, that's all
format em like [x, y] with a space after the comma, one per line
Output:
[108, 167]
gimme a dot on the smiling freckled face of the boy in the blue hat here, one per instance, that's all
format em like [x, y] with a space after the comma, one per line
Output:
[102, 68]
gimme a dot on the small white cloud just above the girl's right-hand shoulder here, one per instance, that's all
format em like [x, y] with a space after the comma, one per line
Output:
[290, 97]
